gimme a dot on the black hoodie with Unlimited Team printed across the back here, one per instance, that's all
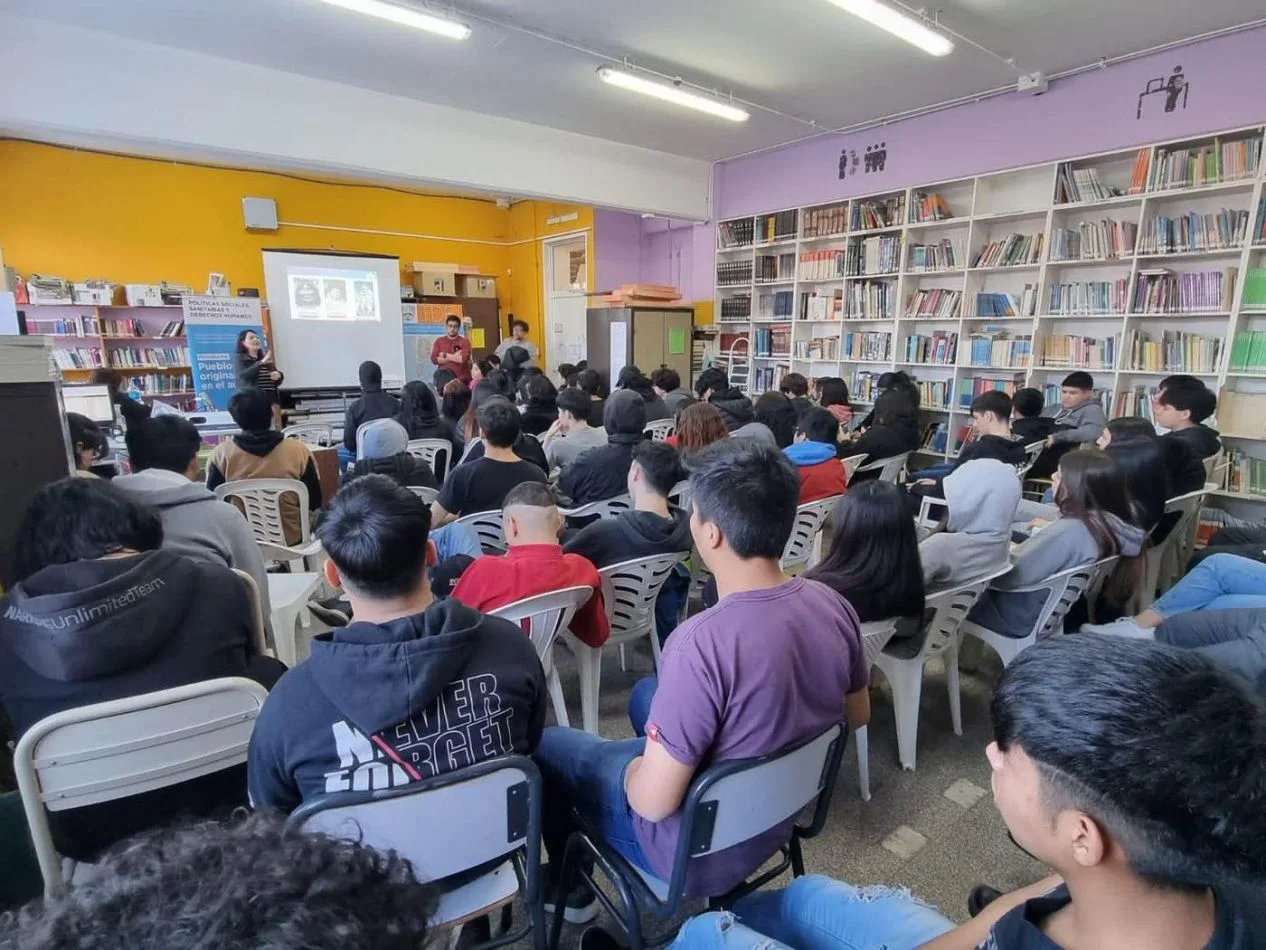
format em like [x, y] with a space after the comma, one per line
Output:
[92, 631]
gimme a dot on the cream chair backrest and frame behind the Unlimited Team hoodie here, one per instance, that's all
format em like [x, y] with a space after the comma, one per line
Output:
[125, 748]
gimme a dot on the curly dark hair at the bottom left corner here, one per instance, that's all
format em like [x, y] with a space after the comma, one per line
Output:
[245, 882]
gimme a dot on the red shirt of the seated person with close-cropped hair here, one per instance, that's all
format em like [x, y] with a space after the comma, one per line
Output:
[527, 571]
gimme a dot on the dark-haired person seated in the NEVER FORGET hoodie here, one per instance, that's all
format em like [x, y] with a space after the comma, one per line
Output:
[365, 711]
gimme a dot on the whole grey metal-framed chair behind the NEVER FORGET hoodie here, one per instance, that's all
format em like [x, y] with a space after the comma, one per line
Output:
[449, 825]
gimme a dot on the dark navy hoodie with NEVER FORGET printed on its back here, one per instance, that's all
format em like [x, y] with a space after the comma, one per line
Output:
[382, 706]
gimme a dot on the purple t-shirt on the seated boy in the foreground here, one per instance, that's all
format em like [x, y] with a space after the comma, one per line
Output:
[760, 672]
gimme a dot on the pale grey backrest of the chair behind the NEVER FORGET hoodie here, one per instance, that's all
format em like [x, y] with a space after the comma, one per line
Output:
[442, 825]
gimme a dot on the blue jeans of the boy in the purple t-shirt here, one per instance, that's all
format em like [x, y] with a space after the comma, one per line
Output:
[587, 773]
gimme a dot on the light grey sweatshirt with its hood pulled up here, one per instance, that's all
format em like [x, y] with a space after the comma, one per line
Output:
[983, 496]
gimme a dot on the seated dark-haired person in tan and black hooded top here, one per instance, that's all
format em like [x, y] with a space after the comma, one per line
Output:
[263, 453]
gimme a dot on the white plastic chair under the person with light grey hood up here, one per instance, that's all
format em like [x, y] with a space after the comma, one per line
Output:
[906, 676]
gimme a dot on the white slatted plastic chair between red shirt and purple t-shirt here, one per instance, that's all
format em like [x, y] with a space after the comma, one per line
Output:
[630, 591]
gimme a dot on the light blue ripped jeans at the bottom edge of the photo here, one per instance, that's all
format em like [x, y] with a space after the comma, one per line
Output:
[817, 914]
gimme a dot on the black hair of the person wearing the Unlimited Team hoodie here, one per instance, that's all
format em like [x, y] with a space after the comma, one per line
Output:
[79, 520]
